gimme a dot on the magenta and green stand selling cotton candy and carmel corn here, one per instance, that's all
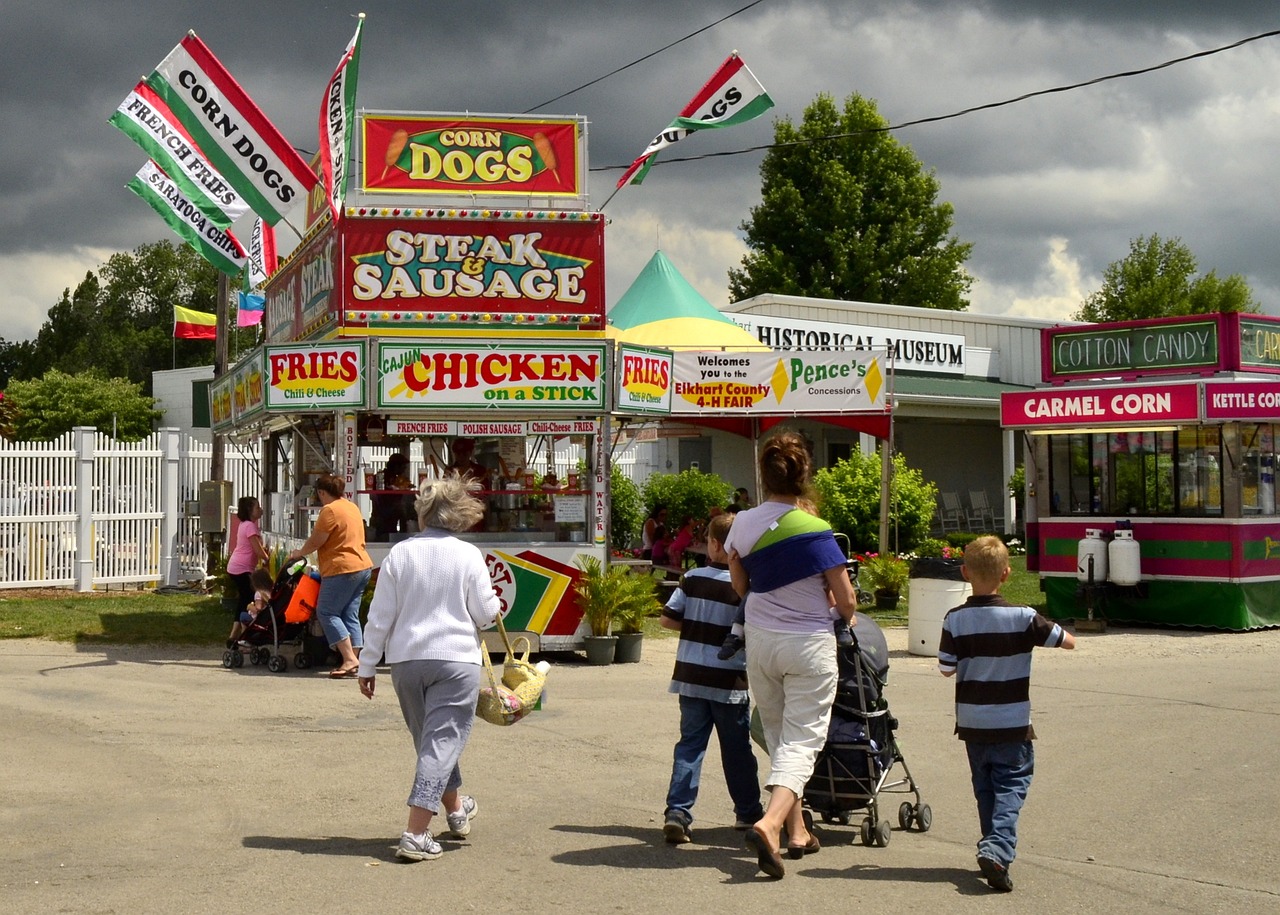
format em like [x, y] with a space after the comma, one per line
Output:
[1160, 433]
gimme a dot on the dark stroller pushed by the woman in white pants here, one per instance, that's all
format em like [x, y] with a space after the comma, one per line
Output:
[857, 765]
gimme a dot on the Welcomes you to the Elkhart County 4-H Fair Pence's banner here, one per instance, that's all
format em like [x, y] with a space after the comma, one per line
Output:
[779, 383]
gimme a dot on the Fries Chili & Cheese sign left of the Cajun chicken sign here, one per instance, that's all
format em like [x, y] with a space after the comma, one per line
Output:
[316, 377]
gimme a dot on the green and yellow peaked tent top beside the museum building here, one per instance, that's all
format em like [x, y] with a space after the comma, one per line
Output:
[664, 310]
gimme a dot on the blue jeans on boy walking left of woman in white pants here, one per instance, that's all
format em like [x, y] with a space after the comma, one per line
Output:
[733, 724]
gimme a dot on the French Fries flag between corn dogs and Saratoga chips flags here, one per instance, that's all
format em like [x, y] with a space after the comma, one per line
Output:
[147, 120]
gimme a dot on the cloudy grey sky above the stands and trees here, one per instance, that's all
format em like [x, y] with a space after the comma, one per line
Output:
[1050, 191]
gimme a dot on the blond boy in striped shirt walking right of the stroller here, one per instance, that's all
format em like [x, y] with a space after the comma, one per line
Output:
[988, 647]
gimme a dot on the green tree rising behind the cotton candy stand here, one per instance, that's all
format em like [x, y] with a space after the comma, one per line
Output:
[1158, 280]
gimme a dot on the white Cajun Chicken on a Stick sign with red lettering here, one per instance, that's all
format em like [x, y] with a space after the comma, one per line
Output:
[560, 377]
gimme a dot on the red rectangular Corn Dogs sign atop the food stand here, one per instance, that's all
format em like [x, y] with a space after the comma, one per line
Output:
[482, 157]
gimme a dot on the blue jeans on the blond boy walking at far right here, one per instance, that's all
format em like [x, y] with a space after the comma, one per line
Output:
[1002, 777]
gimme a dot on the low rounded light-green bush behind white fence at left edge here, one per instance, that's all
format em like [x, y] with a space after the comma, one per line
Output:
[47, 408]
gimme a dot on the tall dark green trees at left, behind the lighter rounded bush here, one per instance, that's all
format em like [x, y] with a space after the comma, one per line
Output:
[120, 321]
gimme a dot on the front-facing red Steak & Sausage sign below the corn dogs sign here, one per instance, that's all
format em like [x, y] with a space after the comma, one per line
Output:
[540, 274]
